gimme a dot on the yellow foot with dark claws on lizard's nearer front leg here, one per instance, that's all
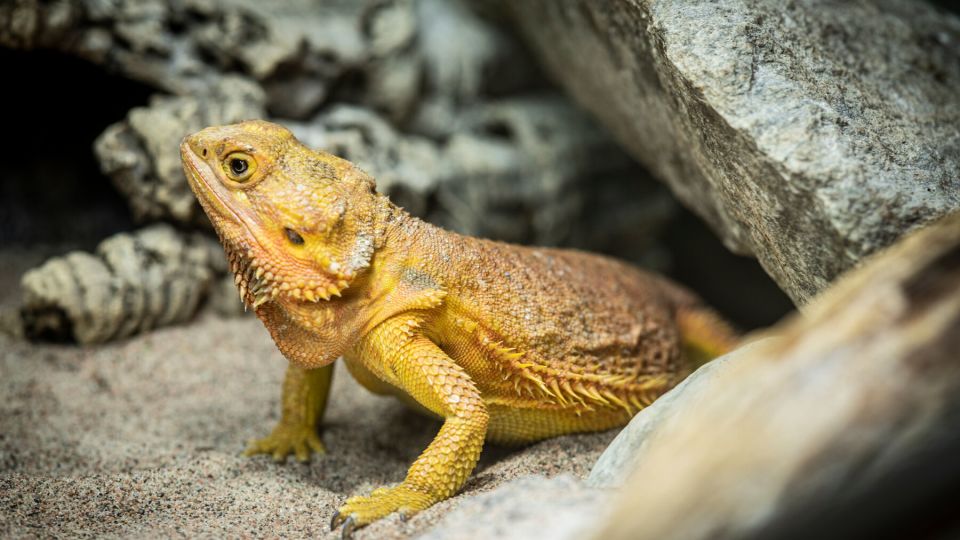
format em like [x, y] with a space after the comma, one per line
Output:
[359, 511]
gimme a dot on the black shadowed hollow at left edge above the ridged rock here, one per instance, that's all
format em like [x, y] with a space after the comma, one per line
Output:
[52, 191]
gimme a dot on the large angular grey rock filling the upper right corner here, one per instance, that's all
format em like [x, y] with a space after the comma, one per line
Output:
[809, 134]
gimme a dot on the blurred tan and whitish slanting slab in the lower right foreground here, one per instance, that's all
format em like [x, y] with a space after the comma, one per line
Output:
[820, 414]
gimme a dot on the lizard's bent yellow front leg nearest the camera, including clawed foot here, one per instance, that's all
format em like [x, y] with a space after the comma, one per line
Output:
[434, 380]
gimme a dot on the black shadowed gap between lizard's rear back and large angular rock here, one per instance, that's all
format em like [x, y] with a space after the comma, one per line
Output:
[734, 285]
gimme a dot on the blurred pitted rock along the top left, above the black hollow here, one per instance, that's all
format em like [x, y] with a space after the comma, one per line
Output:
[297, 49]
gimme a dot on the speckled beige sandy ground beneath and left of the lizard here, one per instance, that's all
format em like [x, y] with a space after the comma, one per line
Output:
[143, 438]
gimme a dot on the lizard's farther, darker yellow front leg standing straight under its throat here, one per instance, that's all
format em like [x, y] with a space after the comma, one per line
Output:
[304, 400]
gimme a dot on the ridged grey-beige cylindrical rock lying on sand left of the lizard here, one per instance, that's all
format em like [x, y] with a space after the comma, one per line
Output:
[133, 282]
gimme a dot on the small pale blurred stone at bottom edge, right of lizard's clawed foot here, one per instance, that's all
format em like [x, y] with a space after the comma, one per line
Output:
[531, 507]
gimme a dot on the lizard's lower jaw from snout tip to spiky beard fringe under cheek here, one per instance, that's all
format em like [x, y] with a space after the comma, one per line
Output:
[257, 277]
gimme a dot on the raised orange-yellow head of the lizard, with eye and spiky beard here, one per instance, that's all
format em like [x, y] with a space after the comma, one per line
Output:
[296, 224]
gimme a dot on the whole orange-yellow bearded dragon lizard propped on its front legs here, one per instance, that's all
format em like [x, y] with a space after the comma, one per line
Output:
[504, 343]
